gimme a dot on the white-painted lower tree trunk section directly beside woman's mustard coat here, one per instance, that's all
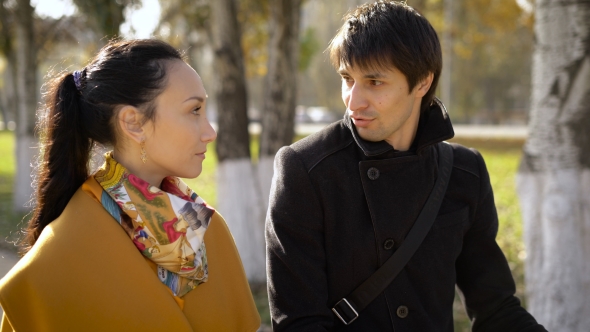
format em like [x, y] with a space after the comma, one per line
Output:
[241, 204]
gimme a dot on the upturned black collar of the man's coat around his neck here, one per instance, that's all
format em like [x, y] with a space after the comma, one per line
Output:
[434, 126]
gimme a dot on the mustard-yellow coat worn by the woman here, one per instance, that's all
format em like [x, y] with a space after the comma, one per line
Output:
[85, 274]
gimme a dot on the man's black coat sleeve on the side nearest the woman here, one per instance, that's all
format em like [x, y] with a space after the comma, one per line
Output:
[297, 282]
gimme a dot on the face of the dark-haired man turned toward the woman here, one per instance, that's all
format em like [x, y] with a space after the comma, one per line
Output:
[381, 105]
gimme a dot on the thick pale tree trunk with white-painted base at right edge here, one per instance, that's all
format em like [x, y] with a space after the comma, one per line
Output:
[554, 177]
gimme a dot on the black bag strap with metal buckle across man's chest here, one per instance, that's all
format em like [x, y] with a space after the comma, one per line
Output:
[347, 309]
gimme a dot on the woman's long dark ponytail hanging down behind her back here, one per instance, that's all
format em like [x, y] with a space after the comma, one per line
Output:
[65, 149]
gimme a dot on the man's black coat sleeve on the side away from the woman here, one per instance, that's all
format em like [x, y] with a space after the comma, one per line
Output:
[483, 274]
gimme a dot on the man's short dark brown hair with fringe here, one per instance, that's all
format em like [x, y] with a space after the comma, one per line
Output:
[381, 34]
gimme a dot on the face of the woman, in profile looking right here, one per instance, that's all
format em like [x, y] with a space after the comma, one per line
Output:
[177, 140]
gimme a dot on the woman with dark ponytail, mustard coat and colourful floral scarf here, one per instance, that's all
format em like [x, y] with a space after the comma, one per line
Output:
[130, 248]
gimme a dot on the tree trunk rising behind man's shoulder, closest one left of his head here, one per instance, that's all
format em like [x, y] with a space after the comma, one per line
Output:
[280, 93]
